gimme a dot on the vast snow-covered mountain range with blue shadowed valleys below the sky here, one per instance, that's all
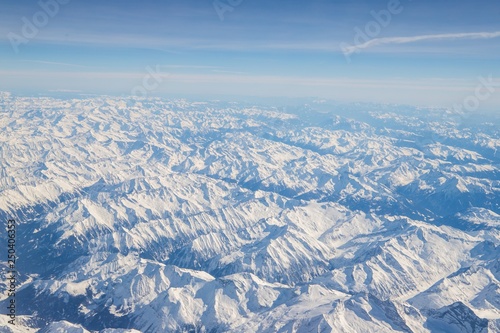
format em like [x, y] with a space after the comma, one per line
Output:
[173, 216]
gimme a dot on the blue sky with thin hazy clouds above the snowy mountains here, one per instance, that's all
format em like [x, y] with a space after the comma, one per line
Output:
[424, 52]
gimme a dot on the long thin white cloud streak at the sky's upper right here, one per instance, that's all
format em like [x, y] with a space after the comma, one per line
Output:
[403, 40]
